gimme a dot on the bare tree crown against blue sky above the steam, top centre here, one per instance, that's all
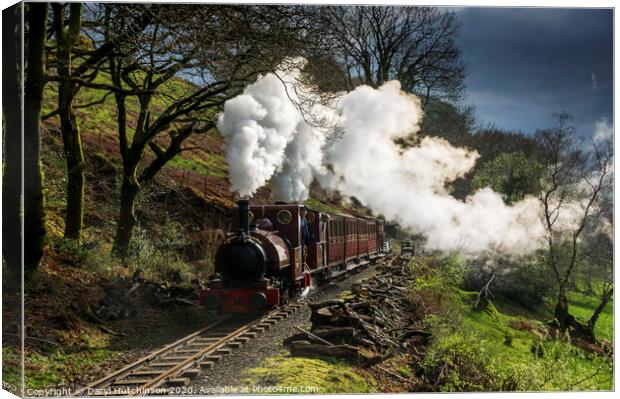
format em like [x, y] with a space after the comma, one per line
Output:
[415, 45]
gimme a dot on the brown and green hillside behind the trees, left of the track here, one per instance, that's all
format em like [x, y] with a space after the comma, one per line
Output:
[178, 214]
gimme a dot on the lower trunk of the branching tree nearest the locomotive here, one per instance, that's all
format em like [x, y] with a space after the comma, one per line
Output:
[127, 219]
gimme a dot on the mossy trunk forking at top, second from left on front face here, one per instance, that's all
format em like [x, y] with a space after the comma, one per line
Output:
[67, 90]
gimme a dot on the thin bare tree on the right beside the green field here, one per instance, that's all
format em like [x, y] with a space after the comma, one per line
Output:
[575, 182]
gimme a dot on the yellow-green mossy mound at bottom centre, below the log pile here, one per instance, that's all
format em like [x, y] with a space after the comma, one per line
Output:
[303, 375]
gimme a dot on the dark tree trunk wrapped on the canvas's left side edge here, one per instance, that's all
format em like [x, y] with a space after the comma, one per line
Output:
[12, 169]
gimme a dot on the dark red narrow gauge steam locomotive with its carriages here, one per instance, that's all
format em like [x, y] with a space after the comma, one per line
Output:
[269, 256]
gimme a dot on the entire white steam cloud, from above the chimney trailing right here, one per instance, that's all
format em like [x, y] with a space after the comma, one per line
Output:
[268, 137]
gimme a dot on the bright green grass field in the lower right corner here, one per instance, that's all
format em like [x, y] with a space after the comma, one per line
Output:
[487, 350]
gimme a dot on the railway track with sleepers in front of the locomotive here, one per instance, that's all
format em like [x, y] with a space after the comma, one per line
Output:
[175, 364]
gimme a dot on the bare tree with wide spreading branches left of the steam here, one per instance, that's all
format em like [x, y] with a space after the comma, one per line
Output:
[217, 50]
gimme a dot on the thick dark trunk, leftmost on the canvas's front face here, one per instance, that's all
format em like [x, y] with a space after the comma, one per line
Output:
[34, 216]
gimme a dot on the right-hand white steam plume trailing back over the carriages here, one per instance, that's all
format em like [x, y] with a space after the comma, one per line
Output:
[408, 186]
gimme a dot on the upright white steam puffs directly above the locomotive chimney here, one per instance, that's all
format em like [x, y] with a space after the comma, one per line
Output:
[267, 134]
